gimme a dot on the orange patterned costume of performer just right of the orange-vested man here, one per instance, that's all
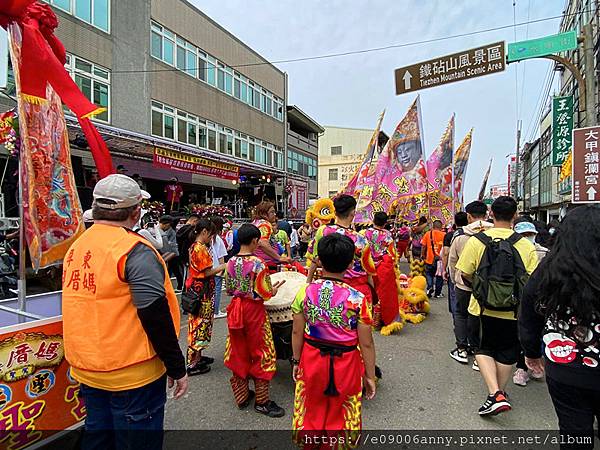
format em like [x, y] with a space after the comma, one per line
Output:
[200, 326]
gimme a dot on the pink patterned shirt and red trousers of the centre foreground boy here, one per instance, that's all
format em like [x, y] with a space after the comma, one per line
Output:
[329, 386]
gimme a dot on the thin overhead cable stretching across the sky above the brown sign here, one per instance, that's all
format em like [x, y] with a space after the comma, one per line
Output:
[358, 52]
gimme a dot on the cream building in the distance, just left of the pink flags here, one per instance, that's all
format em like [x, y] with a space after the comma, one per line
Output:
[341, 151]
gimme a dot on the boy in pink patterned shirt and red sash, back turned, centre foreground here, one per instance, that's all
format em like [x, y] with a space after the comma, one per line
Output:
[331, 321]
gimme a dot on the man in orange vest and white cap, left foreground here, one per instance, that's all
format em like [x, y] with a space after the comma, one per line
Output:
[121, 323]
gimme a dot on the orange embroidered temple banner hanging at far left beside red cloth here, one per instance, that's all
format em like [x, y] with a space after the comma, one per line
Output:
[51, 209]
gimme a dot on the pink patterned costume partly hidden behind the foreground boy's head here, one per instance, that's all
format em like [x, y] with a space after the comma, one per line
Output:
[363, 264]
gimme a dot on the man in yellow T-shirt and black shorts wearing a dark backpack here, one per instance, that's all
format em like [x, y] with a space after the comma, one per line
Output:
[497, 263]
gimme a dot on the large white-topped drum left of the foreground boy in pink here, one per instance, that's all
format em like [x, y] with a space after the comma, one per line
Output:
[279, 309]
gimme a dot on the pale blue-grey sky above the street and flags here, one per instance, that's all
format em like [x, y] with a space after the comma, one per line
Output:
[351, 91]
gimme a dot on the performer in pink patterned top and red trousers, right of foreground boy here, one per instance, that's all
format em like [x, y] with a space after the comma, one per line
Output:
[383, 251]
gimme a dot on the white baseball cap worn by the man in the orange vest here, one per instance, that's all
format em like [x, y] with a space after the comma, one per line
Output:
[118, 191]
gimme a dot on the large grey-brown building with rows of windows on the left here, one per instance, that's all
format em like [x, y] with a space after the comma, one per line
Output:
[175, 82]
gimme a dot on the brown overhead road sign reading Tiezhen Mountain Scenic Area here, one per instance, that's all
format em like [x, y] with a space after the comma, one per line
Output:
[459, 66]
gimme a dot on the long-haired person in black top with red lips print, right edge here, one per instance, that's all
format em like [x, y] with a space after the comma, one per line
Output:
[561, 310]
